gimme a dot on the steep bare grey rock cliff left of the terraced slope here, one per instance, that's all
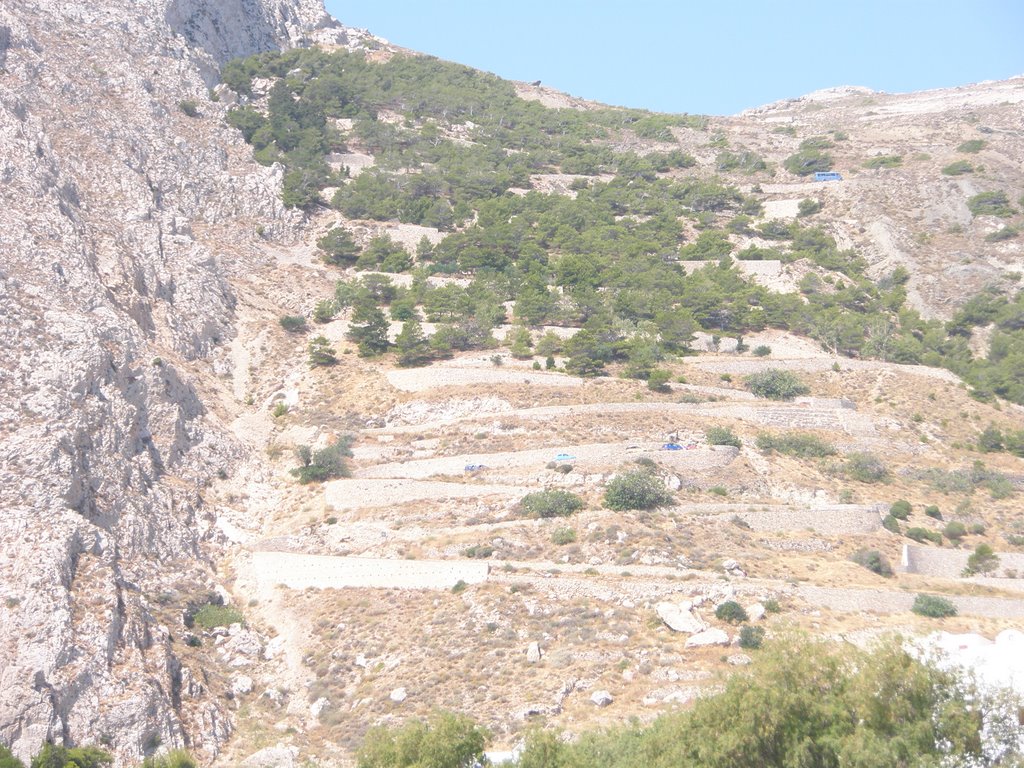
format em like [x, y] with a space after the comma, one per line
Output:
[122, 220]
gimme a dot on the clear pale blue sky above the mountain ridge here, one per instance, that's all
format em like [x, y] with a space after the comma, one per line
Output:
[713, 57]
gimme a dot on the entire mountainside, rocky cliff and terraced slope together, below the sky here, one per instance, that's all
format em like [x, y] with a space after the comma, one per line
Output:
[226, 280]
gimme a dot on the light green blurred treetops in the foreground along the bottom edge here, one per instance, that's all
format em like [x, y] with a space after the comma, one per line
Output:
[801, 704]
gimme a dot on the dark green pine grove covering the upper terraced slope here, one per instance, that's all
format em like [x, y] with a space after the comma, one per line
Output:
[606, 261]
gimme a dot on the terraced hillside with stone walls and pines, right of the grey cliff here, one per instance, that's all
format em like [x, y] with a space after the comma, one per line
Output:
[507, 311]
